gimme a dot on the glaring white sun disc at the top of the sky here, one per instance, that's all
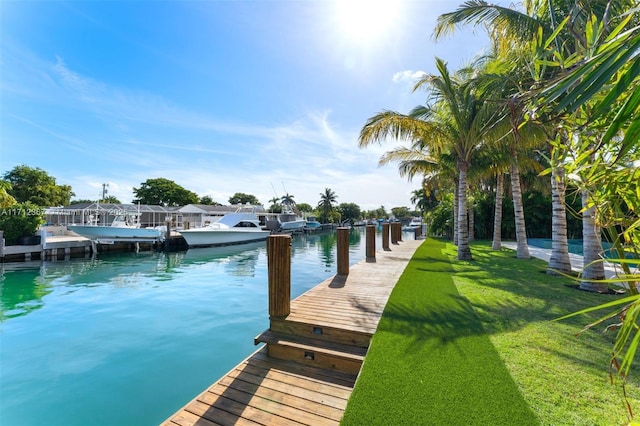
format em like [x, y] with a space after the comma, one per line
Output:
[363, 21]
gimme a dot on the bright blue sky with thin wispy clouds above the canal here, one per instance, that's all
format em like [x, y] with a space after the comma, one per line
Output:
[259, 97]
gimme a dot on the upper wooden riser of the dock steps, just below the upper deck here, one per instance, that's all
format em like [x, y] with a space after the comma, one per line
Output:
[320, 332]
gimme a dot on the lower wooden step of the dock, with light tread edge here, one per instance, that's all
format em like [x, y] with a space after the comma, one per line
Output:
[318, 353]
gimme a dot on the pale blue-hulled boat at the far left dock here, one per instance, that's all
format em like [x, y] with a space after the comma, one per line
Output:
[123, 228]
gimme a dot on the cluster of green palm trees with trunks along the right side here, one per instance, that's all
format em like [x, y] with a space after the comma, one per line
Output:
[560, 83]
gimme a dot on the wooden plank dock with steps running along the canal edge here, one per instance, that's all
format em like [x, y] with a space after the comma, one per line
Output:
[305, 372]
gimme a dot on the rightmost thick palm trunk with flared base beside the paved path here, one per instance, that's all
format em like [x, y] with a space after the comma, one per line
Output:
[591, 249]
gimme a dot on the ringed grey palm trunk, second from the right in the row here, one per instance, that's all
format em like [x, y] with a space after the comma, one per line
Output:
[559, 260]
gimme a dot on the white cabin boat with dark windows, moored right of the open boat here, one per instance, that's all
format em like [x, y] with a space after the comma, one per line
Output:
[232, 228]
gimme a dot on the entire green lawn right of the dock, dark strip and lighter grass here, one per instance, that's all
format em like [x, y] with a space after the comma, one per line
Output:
[473, 343]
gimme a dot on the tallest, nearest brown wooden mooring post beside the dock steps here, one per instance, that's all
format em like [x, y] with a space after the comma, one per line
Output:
[279, 270]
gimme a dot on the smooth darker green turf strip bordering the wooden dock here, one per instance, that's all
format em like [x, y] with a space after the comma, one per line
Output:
[430, 361]
